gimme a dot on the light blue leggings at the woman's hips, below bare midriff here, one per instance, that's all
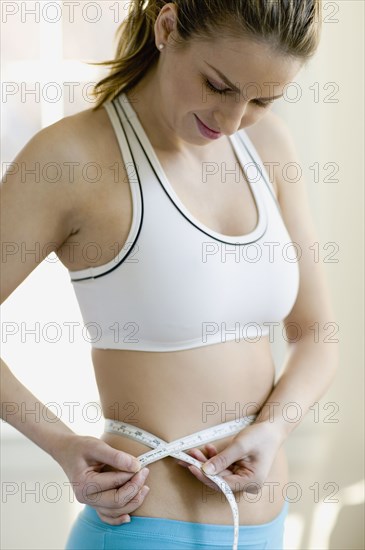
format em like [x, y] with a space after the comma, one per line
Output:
[89, 532]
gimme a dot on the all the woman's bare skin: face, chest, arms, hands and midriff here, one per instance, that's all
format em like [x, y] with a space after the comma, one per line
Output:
[165, 102]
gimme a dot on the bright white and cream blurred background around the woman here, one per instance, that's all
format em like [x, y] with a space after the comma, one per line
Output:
[323, 455]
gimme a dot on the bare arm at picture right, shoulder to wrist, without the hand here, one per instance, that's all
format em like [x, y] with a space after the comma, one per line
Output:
[312, 353]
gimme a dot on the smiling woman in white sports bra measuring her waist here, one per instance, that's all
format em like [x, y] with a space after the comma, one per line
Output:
[195, 272]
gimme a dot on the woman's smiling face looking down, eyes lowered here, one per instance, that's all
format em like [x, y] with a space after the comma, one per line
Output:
[192, 83]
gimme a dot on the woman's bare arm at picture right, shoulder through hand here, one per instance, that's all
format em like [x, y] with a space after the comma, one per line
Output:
[312, 357]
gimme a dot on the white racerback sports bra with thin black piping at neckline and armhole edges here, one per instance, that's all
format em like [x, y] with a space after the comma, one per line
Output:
[176, 284]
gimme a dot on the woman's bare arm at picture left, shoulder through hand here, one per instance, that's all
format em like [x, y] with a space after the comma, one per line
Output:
[47, 214]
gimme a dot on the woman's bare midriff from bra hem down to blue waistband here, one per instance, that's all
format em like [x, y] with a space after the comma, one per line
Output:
[173, 394]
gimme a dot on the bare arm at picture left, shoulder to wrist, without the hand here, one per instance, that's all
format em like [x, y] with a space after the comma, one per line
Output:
[33, 211]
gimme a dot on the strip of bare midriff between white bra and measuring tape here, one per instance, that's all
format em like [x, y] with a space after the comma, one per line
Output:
[172, 393]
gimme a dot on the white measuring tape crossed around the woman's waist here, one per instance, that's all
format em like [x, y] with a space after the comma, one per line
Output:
[161, 449]
